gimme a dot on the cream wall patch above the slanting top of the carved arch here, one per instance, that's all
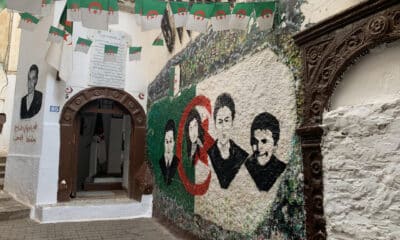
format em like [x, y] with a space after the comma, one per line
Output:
[315, 11]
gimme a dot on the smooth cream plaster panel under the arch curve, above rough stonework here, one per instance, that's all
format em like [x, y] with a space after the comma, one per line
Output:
[373, 79]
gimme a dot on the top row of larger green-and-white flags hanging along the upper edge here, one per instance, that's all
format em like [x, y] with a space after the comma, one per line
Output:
[99, 14]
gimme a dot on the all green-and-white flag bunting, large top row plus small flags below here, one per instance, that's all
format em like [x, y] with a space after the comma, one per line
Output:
[99, 14]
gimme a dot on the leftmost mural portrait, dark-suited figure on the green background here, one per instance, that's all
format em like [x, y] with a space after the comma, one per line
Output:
[169, 162]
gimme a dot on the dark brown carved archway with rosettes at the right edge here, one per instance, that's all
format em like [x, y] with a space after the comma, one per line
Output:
[328, 49]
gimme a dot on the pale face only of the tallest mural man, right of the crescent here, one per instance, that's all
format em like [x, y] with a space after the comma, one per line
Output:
[223, 124]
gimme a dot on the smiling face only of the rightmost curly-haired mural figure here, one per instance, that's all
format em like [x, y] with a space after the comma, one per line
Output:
[264, 147]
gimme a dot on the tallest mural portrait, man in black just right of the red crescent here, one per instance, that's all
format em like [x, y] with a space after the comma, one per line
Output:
[225, 155]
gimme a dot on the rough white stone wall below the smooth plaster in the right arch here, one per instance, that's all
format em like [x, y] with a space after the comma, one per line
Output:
[361, 150]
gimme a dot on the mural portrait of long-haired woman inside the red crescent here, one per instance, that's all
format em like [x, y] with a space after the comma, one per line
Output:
[194, 135]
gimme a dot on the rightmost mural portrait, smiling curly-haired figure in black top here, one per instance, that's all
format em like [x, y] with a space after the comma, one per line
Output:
[263, 166]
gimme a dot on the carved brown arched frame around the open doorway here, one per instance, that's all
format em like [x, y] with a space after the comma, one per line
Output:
[139, 177]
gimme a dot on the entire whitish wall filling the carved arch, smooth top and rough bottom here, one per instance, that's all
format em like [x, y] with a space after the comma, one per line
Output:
[361, 150]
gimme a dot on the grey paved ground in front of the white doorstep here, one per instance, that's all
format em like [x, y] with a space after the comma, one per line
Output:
[136, 229]
